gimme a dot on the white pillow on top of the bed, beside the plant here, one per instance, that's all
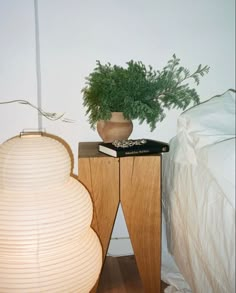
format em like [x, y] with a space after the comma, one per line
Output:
[211, 121]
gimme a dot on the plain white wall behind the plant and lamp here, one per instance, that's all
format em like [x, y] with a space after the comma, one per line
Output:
[75, 33]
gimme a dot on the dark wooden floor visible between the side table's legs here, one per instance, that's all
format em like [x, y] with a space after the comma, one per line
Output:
[120, 275]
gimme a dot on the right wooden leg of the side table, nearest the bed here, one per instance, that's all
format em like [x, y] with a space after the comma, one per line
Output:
[141, 203]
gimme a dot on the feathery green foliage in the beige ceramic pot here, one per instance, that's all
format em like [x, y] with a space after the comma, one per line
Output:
[140, 92]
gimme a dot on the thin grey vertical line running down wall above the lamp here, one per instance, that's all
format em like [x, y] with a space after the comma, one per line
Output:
[38, 65]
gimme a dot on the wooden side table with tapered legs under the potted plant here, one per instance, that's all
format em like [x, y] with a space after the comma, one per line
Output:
[135, 182]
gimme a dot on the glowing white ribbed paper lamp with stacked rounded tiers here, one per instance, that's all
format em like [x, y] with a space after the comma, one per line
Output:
[46, 242]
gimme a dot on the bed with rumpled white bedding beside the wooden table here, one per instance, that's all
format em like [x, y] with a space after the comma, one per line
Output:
[198, 200]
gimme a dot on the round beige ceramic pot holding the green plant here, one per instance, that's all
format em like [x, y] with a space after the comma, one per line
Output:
[116, 128]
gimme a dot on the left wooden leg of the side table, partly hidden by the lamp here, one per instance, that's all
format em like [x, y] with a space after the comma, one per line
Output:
[101, 178]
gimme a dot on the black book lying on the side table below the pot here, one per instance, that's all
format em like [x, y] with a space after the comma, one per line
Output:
[122, 148]
